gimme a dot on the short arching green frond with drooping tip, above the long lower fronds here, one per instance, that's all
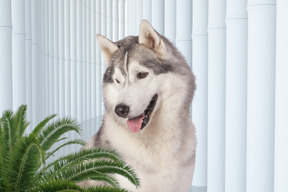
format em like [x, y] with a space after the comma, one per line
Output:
[50, 134]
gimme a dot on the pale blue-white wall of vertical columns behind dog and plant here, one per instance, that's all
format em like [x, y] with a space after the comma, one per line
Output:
[49, 60]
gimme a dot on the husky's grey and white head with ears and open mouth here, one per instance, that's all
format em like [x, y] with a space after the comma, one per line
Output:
[138, 76]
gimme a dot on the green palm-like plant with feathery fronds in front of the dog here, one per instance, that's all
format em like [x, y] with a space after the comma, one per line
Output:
[23, 157]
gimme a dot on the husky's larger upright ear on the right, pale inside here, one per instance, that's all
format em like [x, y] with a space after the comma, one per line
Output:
[150, 38]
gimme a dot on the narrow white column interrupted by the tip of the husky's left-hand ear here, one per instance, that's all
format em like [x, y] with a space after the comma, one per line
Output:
[98, 61]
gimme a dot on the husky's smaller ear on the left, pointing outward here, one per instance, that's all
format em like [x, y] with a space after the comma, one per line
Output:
[107, 47]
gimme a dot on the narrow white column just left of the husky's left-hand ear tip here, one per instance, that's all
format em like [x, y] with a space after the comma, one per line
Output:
[93, 59]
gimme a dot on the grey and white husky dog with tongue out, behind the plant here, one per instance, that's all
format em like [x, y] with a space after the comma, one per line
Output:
[147, 89]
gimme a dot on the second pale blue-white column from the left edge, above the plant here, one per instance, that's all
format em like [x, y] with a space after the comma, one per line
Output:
[18, 53]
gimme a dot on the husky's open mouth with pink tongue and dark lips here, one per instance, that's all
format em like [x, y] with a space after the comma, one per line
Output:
[137, 123]
